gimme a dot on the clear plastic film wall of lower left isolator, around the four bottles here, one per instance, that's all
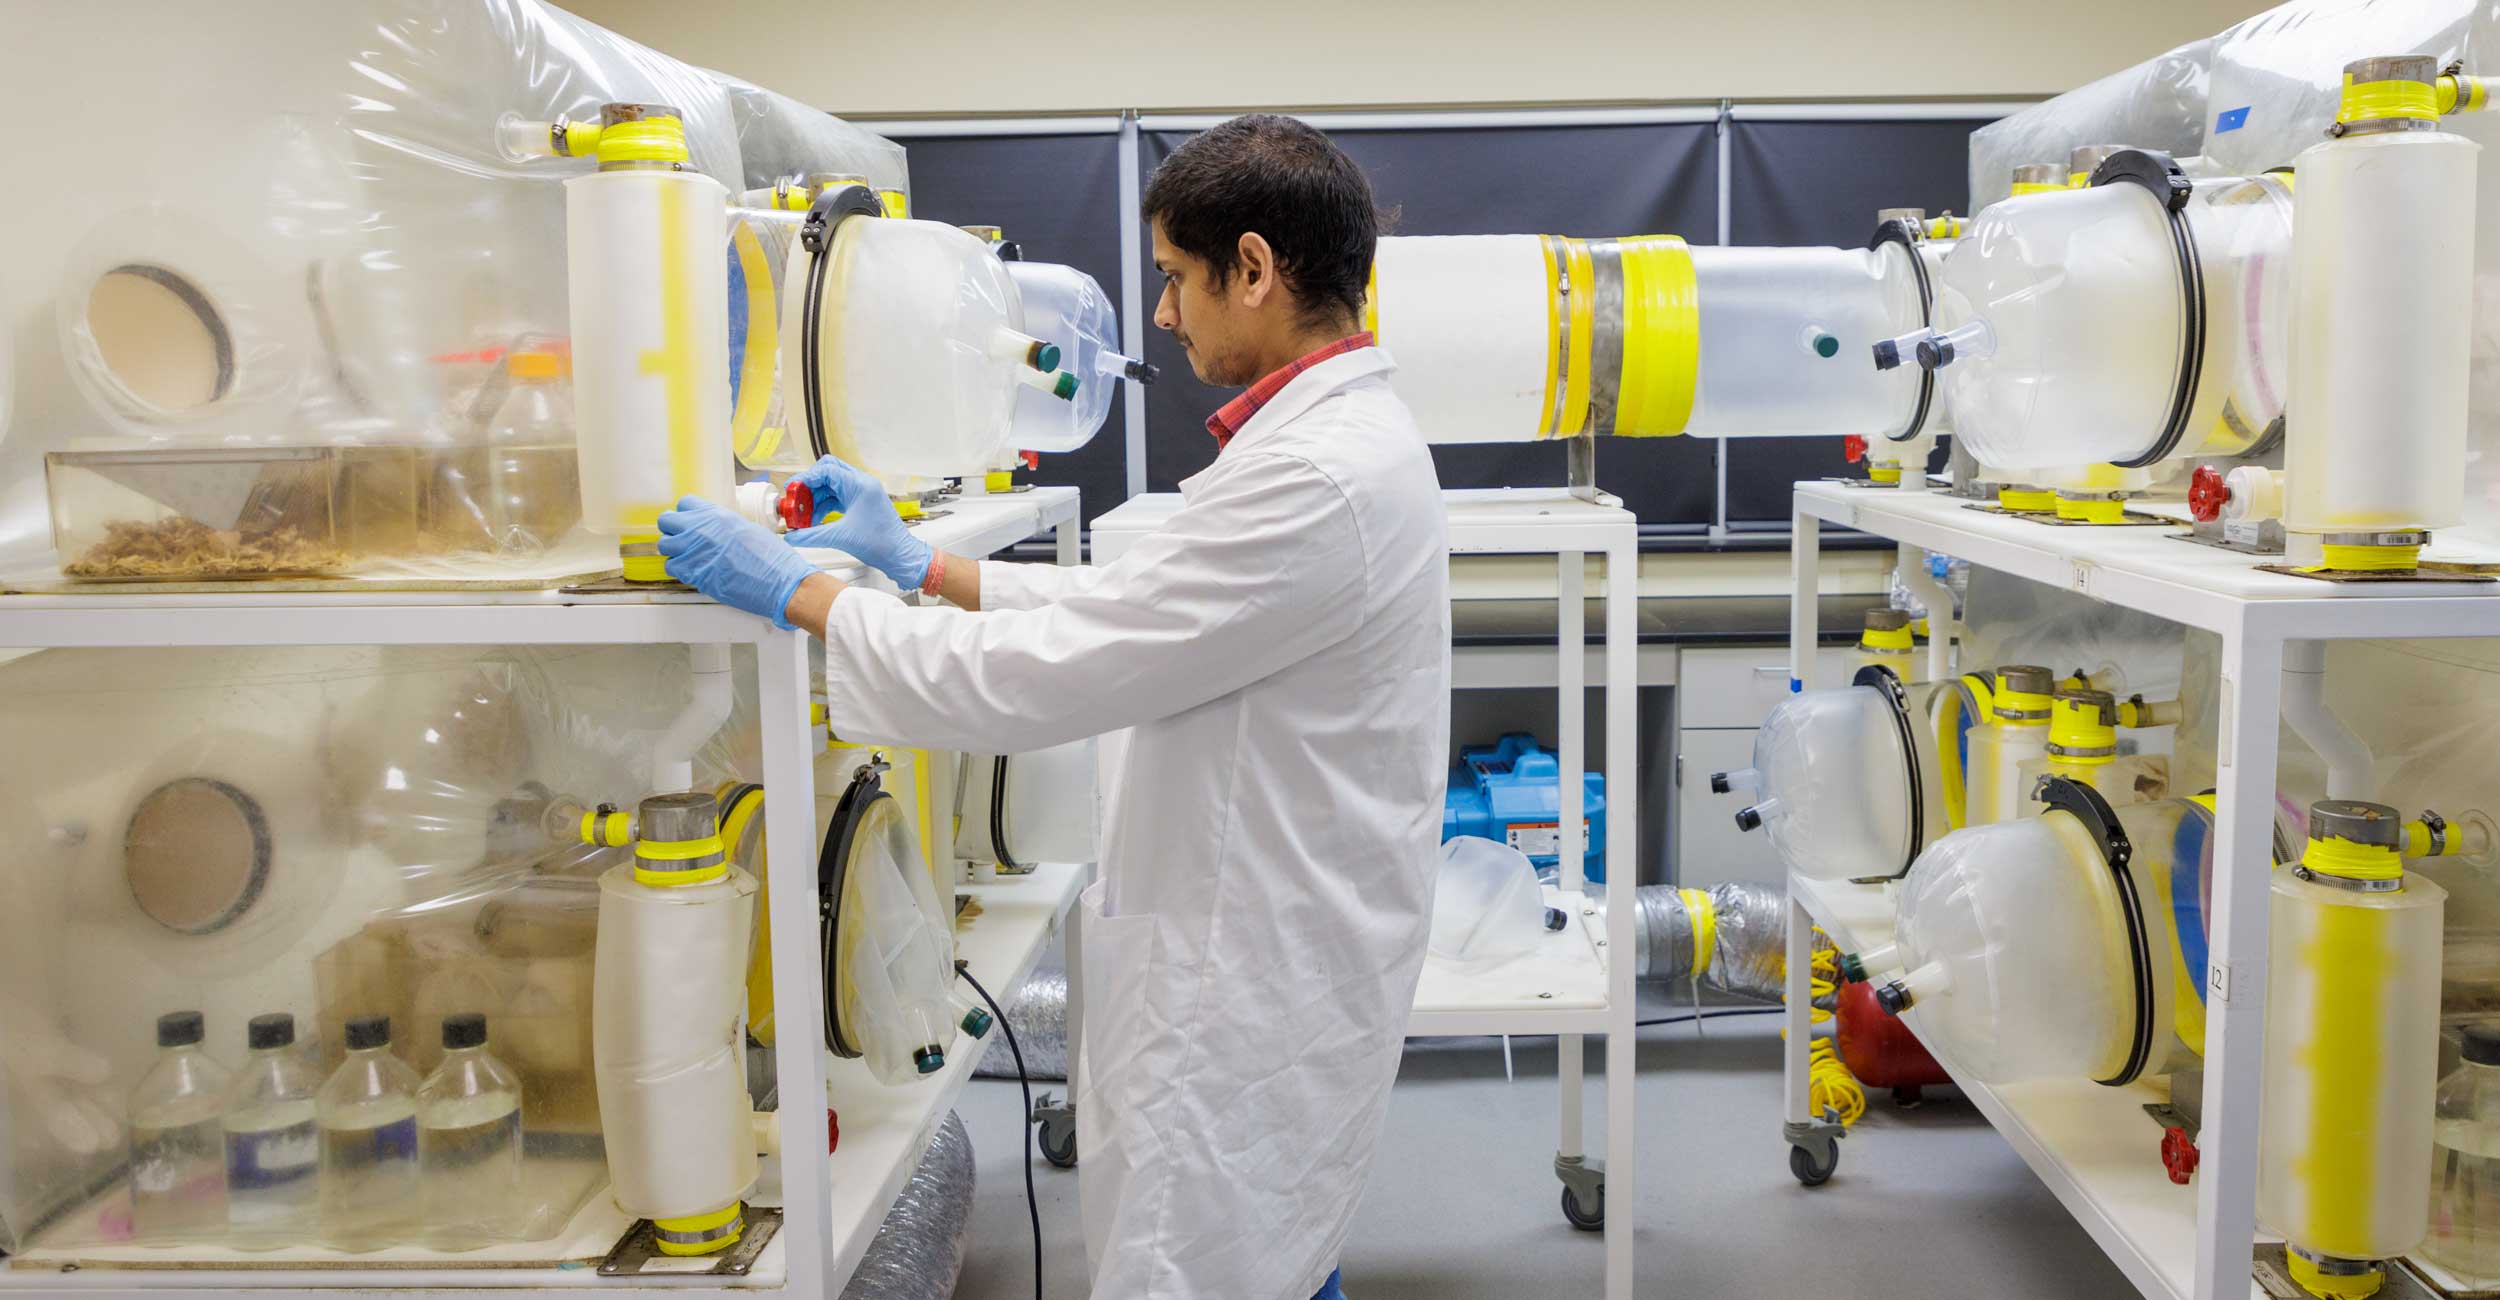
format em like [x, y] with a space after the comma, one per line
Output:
[314, 831]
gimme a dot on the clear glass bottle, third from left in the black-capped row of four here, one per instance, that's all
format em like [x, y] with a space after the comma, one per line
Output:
[369, 1141]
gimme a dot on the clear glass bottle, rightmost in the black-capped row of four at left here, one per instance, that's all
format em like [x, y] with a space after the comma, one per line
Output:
[469, 1141]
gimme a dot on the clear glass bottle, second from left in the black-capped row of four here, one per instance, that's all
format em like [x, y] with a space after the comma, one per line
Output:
[271, 1144]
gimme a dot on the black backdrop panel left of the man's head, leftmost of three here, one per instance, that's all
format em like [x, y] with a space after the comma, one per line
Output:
[1059, 196]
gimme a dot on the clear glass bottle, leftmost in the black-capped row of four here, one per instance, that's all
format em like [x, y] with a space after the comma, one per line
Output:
[179, 1139]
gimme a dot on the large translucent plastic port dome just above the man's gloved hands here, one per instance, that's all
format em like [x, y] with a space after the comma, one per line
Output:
[919, 344]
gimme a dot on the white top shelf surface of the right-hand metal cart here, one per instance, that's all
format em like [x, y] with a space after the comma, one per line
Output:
[2149, 569]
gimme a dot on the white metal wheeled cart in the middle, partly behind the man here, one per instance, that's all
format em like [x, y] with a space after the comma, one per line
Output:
[1581, 981]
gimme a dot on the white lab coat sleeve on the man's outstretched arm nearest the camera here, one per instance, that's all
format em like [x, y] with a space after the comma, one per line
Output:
[1256, 574]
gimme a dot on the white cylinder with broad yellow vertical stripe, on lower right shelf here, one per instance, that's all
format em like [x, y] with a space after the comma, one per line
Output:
[2351, 1066]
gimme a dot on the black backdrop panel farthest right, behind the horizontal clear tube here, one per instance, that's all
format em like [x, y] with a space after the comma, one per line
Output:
[1821, 184]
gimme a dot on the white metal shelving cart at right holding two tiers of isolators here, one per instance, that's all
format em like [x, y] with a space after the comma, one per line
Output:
[2094, 1146]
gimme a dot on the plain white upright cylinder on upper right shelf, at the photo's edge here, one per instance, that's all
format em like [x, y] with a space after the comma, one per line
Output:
[2384, 259]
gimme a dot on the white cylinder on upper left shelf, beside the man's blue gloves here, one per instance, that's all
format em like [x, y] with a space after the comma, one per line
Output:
[651, 374]
